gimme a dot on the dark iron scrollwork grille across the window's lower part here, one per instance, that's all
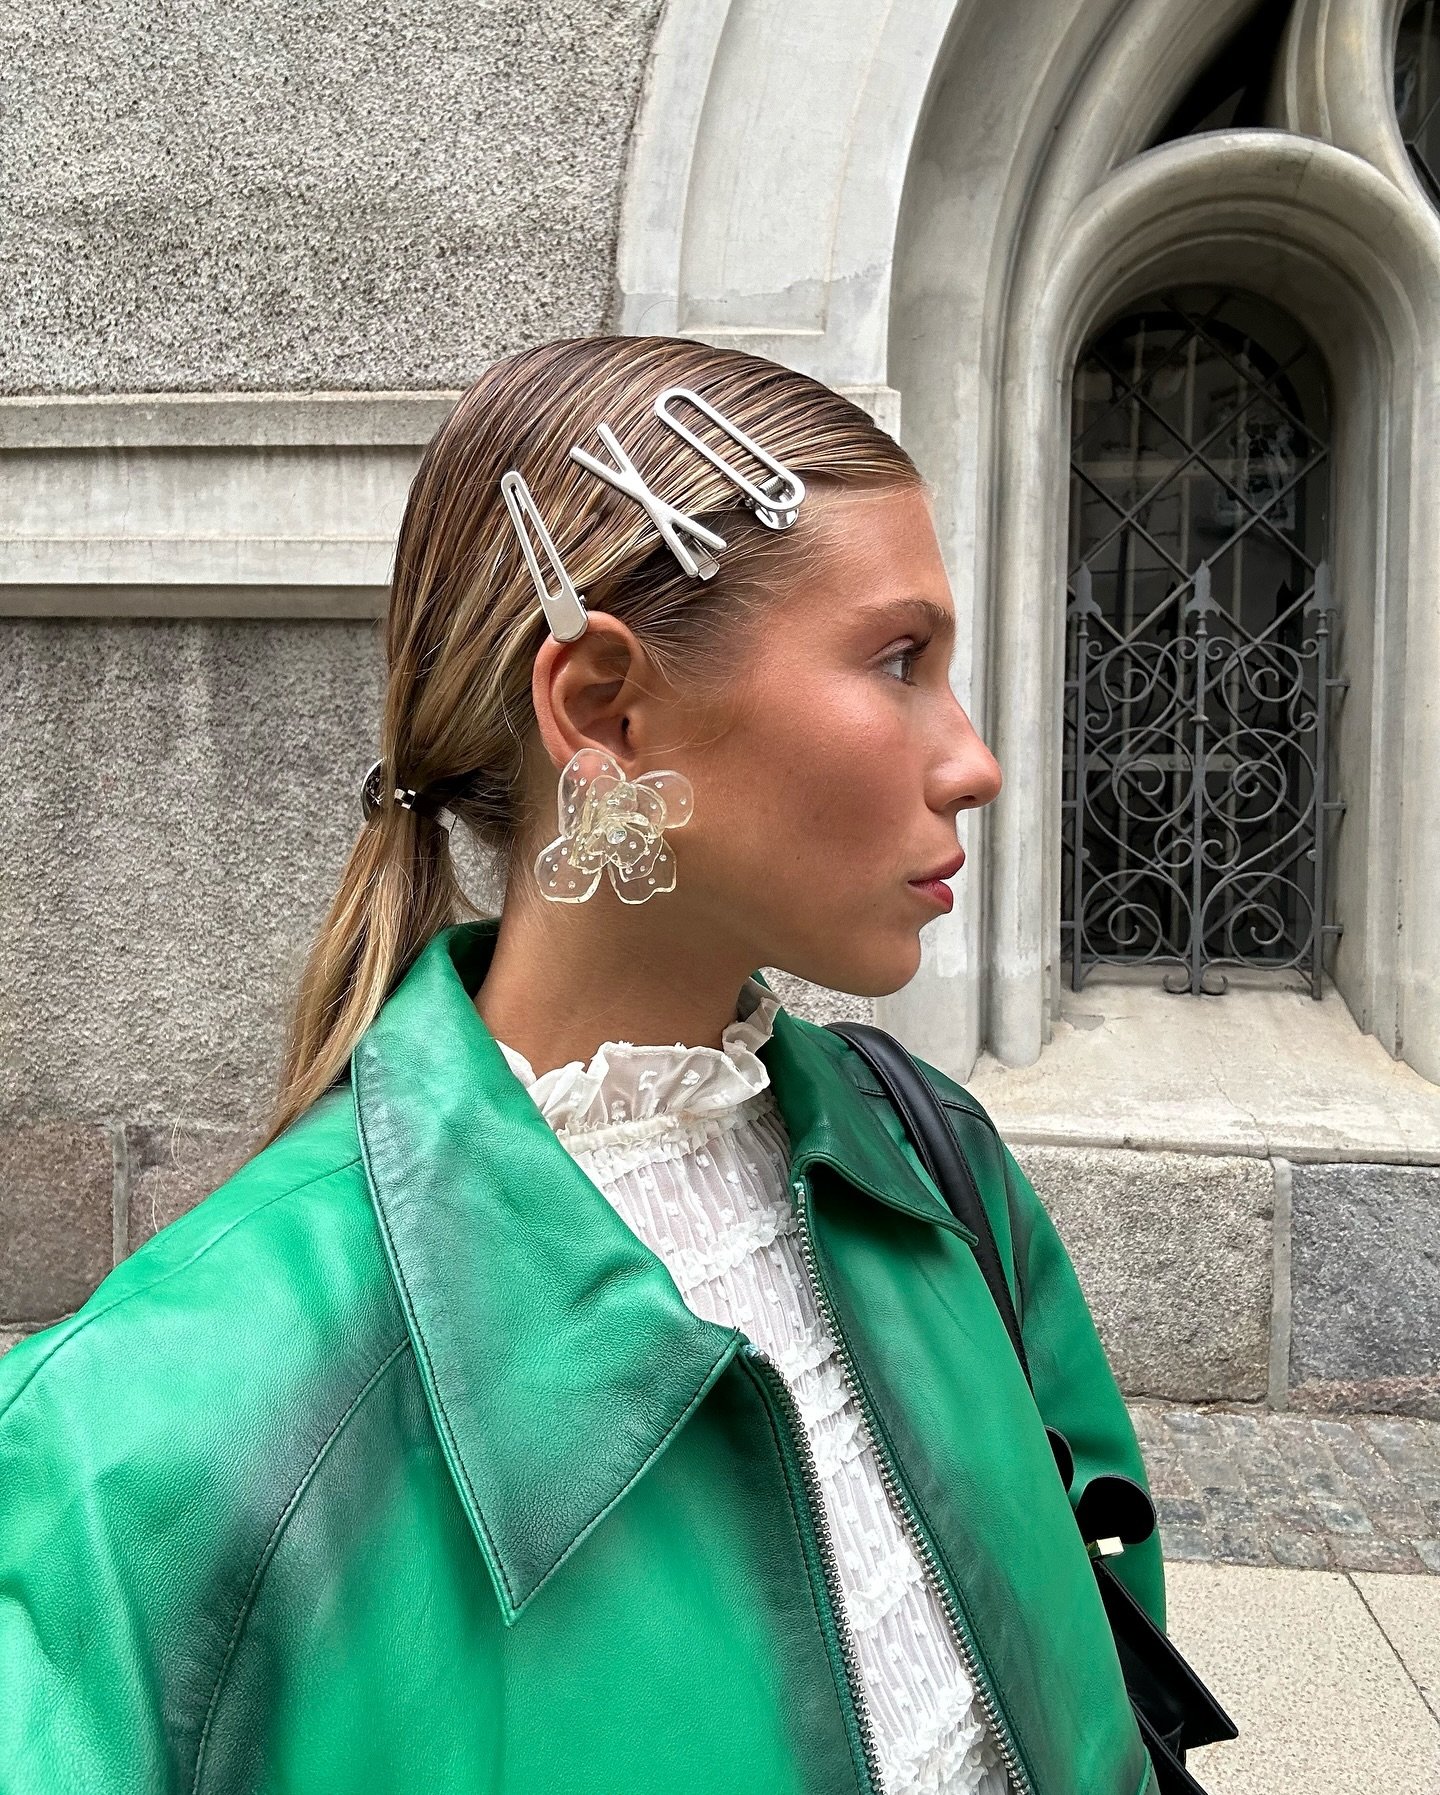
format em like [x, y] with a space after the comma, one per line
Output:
[1197, 791]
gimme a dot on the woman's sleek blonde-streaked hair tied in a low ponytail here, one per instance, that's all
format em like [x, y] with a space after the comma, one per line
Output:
[464, 618]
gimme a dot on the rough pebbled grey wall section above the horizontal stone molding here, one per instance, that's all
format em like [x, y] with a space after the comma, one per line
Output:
[306, 197]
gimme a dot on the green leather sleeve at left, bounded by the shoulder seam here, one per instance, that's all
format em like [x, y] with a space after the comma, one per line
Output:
[148, 1446]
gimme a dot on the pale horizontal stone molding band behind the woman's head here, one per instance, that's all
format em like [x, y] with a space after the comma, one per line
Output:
[182, 505]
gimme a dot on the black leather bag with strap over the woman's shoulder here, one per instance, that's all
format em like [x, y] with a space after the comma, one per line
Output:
[1172, 1704]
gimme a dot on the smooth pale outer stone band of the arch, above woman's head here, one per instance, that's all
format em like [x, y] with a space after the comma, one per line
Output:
[766, 179]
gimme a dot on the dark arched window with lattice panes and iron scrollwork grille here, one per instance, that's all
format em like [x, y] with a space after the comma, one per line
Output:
[1200, 651]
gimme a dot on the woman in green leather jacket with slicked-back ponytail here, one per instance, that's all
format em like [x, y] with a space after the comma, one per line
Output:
[586, 1388]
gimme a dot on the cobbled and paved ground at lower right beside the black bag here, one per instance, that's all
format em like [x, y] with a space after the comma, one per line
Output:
[1301, 1557]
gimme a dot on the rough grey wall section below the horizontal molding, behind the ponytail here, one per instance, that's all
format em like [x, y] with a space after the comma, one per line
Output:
[180, 801]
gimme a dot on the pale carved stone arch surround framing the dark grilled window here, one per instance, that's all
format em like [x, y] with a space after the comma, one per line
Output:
[931, 207]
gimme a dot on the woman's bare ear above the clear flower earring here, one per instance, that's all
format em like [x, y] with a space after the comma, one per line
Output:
[601, 690]
